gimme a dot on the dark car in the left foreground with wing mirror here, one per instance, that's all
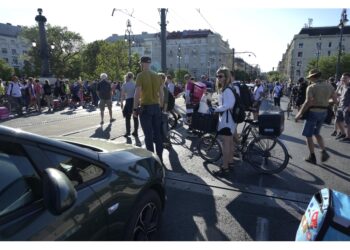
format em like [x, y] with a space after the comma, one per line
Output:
[77, 189]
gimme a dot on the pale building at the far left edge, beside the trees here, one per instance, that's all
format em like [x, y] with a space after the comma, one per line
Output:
[12, 46]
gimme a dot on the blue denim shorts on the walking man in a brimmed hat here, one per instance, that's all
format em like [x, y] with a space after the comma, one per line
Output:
[313, 123]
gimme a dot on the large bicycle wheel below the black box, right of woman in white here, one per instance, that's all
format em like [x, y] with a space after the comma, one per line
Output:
[267, 155]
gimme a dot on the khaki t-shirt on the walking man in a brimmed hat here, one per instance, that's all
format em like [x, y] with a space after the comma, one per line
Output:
[320, 92]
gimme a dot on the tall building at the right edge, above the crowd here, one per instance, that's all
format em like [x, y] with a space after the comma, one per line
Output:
[310, 44]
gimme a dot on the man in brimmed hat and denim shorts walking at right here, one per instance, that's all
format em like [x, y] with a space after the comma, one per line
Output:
[315, 107]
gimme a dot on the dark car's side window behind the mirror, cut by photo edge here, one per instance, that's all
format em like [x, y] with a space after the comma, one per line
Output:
[20, 184]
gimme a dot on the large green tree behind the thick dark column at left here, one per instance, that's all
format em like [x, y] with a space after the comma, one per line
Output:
[64, 55]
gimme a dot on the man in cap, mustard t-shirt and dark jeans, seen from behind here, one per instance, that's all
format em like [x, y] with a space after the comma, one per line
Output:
[147, 103]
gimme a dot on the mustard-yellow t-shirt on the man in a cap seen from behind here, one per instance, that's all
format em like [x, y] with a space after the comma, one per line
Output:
[150, 83]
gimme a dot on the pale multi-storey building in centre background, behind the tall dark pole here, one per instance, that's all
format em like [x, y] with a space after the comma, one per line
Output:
[197, 51]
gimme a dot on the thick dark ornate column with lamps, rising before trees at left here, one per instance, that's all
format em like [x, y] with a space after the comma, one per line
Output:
[44, 53]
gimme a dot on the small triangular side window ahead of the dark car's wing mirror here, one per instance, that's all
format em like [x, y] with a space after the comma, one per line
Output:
[77, 170]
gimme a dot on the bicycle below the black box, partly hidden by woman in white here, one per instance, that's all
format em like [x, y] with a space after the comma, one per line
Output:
[267, 154]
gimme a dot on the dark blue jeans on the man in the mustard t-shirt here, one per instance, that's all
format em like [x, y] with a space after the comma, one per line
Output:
[150, 119]
